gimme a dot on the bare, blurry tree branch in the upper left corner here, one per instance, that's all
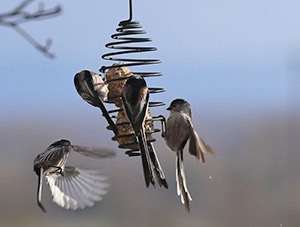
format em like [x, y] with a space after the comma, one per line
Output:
[19, 15]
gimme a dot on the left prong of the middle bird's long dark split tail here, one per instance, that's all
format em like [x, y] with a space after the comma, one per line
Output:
[146, 158]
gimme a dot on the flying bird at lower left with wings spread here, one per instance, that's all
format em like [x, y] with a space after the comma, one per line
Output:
[71, 187]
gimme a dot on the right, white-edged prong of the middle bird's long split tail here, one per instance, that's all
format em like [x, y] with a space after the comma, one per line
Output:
[160, 176]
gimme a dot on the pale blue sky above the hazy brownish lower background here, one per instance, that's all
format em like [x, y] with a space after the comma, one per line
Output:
[224, 55]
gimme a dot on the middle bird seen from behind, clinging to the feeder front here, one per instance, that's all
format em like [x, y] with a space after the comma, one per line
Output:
[135, 100]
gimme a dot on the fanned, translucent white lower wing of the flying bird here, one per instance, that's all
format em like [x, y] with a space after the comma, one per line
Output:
[77, 188]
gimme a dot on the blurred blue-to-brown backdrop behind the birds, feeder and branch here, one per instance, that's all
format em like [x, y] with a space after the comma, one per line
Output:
[236, 62]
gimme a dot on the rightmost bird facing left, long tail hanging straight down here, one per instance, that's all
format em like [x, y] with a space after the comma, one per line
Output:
[179, 128]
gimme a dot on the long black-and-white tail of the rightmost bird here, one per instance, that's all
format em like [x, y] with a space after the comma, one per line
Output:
[182, 189]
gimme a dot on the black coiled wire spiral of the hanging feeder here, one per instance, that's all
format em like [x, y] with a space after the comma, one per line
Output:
[125, 31]
